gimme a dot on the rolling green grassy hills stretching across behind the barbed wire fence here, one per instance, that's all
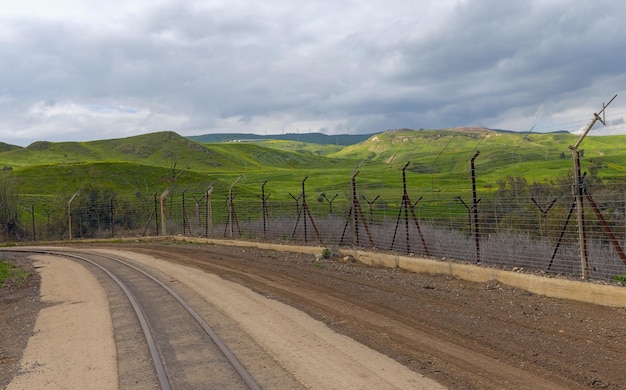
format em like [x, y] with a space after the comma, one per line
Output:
[439, 163]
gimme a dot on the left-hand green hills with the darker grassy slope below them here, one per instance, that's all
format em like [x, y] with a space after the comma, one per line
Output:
[149, 163]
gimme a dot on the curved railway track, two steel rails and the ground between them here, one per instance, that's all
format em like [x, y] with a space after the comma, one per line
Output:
[152, 309]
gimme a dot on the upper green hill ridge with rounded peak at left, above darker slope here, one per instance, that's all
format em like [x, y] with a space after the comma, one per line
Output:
[163, 149]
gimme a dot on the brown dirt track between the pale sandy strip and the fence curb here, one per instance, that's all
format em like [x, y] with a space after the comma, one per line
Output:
[463, 335]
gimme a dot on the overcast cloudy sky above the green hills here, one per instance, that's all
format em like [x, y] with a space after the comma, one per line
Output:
[81, 70]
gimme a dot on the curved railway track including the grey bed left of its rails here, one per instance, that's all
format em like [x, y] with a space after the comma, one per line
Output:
[182, 349]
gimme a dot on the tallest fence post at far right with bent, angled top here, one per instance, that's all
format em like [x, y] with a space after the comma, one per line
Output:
[579, 190]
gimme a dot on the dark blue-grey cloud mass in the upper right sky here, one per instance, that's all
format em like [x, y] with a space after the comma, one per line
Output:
[494, 55]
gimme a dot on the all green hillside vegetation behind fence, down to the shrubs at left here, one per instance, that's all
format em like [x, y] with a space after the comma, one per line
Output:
[136, 170]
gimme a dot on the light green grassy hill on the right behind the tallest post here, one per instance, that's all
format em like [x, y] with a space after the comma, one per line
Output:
[534, 156]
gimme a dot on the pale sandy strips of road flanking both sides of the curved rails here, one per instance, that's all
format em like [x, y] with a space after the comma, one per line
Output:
[295, 351]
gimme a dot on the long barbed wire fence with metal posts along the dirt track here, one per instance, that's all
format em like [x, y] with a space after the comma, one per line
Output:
[514, 226]
